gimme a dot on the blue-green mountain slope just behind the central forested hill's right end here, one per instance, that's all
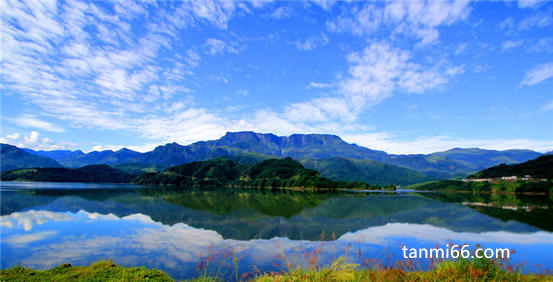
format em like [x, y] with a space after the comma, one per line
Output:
[368, 171]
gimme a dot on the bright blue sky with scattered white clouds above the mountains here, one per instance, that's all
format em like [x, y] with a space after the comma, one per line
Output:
[399, 76]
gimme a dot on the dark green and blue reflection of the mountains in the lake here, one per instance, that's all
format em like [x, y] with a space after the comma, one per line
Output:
[252, 214]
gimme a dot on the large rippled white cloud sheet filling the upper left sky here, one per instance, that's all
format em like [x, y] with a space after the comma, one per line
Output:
[48, 58]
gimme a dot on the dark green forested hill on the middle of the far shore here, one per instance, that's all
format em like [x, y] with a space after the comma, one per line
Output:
[265, 174]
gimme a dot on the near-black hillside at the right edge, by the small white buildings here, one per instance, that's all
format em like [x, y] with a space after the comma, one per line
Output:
[539, 168]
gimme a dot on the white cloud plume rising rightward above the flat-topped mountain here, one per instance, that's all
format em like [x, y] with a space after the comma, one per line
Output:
[374, 75]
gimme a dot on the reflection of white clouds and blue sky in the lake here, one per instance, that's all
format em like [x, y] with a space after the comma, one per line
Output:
[138, 240]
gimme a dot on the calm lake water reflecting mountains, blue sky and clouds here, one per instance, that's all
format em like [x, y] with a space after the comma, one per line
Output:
[179, 230]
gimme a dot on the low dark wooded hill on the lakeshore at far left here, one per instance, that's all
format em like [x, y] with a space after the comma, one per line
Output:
[90, 173]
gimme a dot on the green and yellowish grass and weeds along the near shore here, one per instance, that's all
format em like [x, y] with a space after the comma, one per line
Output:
[461, 270]
